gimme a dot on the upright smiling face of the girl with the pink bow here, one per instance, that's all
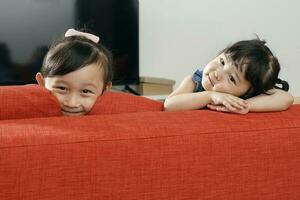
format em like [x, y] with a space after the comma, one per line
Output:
[77, 91]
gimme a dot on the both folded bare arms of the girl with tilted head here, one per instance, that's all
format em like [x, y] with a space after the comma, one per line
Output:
[184, 98]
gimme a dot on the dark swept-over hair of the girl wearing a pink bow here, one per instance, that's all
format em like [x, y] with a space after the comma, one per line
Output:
[72, 53]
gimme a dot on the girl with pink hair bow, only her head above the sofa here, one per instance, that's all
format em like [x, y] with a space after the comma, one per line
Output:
[77, 70]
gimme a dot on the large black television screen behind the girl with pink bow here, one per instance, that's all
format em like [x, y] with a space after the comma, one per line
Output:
[28, 28]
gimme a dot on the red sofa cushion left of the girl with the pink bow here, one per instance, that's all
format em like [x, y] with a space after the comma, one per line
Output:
[28, 101]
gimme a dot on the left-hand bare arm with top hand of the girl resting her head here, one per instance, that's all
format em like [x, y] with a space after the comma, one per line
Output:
[183, 98]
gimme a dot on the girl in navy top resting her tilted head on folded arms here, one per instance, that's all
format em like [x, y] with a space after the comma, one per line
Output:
[242, 78]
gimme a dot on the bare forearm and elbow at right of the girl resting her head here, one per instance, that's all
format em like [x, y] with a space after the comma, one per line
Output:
[277, 100]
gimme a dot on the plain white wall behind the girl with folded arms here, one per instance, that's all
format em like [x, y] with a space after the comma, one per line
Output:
[178, 36]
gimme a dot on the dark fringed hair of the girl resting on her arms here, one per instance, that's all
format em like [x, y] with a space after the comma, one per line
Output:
[260, 66]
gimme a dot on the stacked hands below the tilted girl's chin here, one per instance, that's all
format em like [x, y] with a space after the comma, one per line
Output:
[228, 103]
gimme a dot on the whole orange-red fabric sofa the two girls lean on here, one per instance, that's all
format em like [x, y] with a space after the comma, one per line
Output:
[129, 149]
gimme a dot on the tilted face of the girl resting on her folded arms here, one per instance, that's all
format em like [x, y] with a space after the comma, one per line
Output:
[221, 75]
